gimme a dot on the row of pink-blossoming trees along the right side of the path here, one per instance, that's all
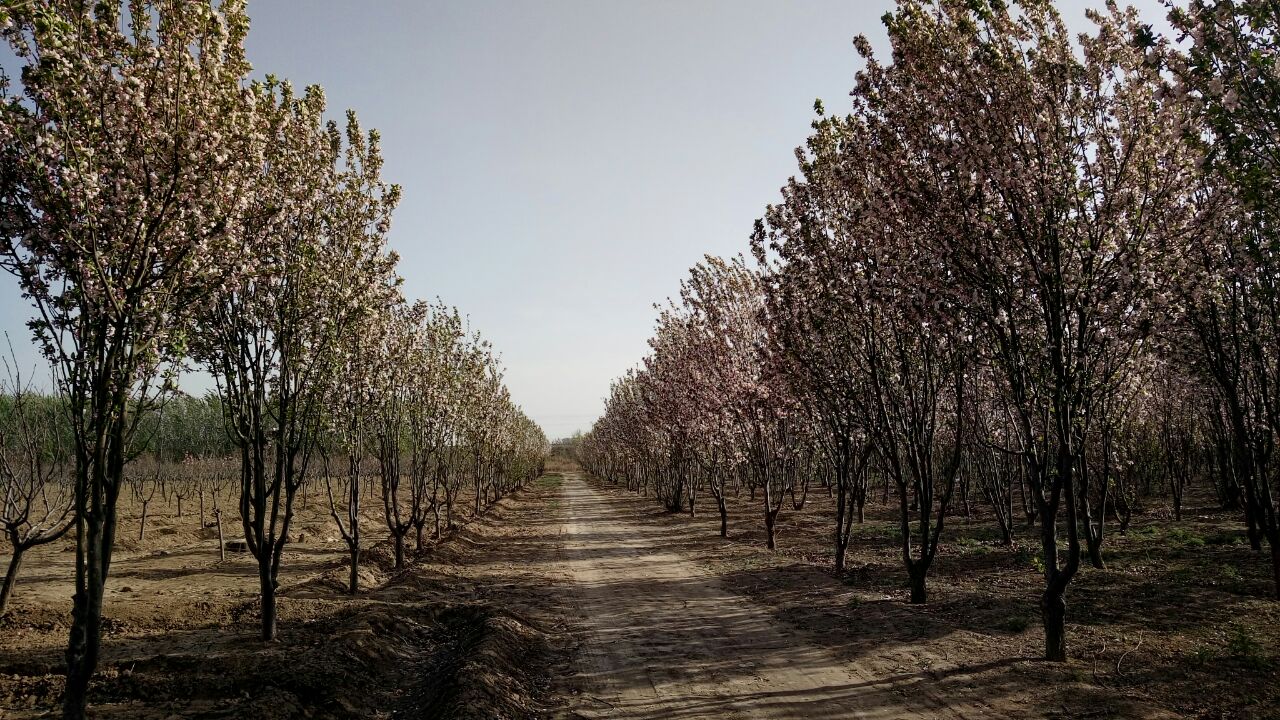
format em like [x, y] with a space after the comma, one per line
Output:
[1032, 265]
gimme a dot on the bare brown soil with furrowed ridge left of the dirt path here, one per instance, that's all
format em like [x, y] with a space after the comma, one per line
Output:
[182, 628]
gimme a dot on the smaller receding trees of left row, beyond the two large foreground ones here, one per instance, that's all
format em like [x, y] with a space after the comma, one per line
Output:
[426, 399]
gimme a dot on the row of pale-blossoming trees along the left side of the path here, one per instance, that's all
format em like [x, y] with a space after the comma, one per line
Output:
[161, 208]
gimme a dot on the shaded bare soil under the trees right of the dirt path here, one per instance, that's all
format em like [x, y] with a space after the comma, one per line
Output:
[1181, 625]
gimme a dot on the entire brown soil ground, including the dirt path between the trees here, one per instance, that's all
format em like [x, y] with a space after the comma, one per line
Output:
[575, 599]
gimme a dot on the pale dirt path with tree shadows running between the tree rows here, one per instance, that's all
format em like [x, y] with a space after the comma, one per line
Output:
[664, 639]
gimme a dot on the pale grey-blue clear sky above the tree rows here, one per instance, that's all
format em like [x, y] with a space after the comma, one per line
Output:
[565, 162]
